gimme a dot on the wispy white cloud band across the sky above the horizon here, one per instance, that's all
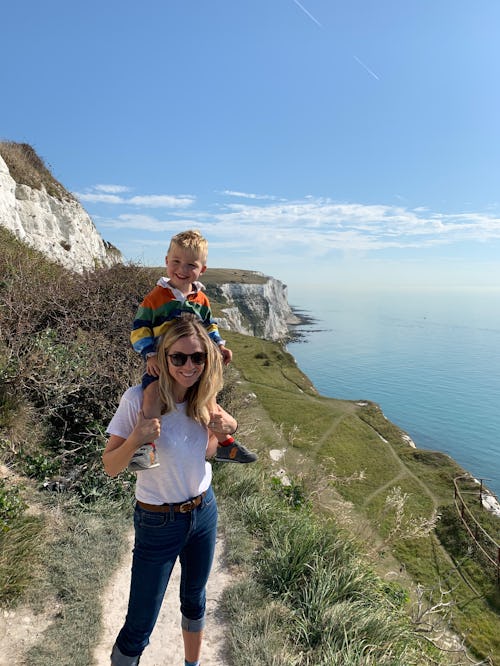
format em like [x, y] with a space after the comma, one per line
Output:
[267, 227]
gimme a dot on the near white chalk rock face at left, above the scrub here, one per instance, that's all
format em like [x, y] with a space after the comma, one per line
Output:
[61, 229]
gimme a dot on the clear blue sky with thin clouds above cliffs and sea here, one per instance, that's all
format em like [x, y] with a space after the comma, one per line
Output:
[352, 144]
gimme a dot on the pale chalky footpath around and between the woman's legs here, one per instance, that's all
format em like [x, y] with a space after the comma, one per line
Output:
[166, 640]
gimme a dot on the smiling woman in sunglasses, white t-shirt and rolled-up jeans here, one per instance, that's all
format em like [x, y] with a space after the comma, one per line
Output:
[176, 512]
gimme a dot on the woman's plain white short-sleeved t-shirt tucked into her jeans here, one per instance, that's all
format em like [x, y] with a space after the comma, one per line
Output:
[183, 472]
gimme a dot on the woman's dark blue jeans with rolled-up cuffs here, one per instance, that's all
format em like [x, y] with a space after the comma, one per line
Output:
[159, 539]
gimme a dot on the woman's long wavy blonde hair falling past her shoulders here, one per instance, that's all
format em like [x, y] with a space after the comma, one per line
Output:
[203, 393]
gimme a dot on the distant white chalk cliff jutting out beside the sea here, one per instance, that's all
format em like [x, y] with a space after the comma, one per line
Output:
[261, 310]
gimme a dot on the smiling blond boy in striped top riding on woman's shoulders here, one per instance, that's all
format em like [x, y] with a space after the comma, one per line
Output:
[180, 292]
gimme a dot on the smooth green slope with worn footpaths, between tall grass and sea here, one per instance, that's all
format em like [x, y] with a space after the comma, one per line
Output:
[396, 500]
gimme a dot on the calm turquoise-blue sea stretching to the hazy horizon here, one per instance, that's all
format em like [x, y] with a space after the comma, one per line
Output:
[431, 360]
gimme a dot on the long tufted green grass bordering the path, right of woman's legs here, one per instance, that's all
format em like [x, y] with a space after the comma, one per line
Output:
[310, 598]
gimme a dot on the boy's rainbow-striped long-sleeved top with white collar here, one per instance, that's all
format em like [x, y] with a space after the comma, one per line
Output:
[163, 304]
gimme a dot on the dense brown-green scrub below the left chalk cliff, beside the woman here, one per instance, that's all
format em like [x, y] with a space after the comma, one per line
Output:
[66, 353]
